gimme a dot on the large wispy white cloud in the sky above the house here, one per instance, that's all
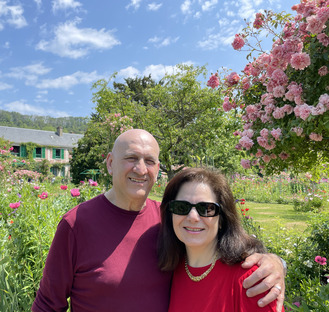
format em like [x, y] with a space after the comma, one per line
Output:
[73, 42]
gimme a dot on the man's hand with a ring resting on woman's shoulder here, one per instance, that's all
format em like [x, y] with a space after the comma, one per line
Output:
[271, 274]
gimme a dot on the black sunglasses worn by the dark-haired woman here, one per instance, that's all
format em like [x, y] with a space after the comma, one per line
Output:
[204, 209]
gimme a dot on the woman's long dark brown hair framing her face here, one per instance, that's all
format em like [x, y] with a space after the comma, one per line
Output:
[234, 243]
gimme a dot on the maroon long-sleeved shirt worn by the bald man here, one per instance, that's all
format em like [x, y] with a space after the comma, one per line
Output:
[104, 258]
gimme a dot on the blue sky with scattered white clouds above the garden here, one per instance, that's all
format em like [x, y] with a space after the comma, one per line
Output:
[52, 51]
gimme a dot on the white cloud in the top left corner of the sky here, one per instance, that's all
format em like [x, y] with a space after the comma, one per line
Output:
[11, 14]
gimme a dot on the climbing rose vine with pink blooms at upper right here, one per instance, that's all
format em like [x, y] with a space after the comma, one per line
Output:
[282, 96]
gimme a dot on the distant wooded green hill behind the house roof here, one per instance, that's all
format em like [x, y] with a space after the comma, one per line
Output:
[69, 124]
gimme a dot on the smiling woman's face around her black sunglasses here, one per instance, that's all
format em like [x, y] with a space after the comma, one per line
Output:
[197, 233]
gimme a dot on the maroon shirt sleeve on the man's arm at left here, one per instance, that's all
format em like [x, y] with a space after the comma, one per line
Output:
[56, 283]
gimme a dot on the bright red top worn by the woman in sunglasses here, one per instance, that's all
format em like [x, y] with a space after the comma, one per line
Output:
[221, 290]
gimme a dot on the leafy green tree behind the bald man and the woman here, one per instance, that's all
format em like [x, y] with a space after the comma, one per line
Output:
[181, 113]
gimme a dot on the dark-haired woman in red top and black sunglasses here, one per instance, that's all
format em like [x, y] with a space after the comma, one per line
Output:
[202, 239]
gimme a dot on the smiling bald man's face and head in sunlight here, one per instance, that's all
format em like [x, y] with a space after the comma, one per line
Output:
[134, 166]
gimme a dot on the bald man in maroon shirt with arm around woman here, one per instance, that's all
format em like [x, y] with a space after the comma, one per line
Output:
[103, 255]
